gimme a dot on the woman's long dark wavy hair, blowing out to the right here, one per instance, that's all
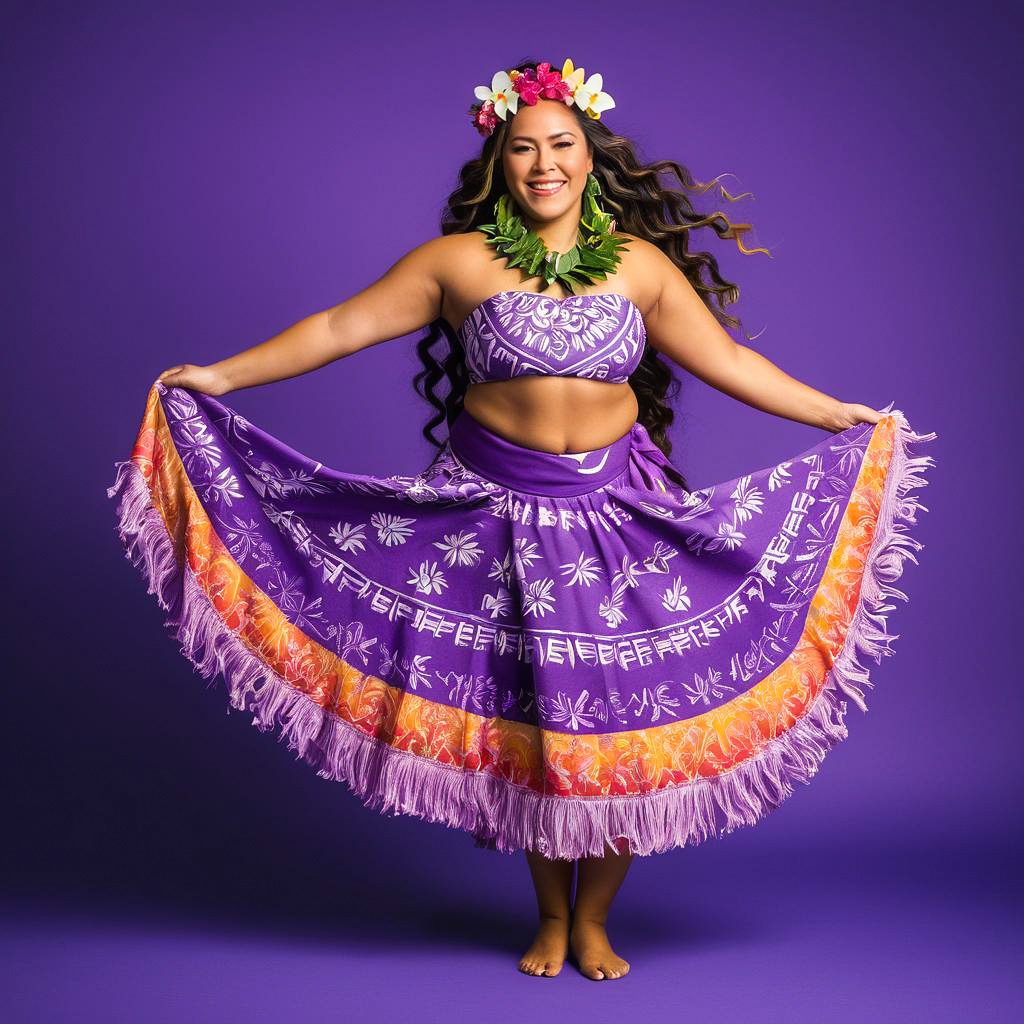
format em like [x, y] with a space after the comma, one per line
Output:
[643, 206]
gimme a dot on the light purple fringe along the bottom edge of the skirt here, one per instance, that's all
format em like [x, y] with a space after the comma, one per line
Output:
[504, 817]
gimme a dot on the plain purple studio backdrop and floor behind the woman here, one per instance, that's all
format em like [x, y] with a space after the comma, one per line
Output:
[188, 181]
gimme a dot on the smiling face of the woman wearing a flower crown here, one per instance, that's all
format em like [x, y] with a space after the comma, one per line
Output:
[546, 145]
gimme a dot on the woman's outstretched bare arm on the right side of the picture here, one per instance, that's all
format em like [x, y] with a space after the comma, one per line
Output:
[682, 328]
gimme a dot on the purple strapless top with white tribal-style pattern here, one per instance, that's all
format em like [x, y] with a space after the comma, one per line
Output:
[514, 334]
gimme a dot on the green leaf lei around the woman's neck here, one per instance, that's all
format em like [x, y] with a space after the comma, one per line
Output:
[592, 259]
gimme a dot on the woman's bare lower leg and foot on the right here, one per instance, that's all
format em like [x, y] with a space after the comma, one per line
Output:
[598, 883]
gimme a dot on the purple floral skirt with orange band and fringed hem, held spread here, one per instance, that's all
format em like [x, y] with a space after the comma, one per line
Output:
[568, 654]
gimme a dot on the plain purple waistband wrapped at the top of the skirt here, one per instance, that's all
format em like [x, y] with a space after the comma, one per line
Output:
[533, 472]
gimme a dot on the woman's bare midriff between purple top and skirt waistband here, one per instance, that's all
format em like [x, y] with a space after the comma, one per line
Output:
[554, 414]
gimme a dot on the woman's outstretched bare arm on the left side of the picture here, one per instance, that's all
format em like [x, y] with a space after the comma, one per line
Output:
[405, 300]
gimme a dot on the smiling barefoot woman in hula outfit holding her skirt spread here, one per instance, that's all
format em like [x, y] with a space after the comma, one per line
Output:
[545, 638]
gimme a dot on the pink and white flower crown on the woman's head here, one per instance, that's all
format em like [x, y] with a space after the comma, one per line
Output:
[508, 89]
